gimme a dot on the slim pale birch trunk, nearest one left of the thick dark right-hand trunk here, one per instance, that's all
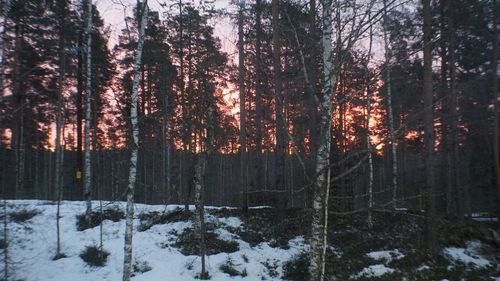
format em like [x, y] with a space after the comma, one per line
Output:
[388, 55]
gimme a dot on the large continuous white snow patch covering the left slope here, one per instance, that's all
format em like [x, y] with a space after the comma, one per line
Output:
[33, 243]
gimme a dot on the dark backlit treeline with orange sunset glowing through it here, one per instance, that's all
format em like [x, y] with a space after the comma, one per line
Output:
[183, 64]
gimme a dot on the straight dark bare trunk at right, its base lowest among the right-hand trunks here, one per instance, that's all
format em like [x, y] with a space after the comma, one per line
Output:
[429, 128]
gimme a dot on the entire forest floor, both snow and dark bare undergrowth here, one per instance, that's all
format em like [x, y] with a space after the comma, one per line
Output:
[252, 246]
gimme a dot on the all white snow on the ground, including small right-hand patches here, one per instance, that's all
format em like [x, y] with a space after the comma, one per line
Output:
[32, 246]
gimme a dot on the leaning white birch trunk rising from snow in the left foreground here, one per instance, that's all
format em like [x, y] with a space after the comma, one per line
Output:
[127, 260]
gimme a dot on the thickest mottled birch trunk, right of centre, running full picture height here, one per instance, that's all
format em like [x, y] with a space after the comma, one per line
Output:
[323, 154]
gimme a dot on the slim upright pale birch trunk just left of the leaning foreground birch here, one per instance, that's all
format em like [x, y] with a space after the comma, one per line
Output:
[87, 182]
